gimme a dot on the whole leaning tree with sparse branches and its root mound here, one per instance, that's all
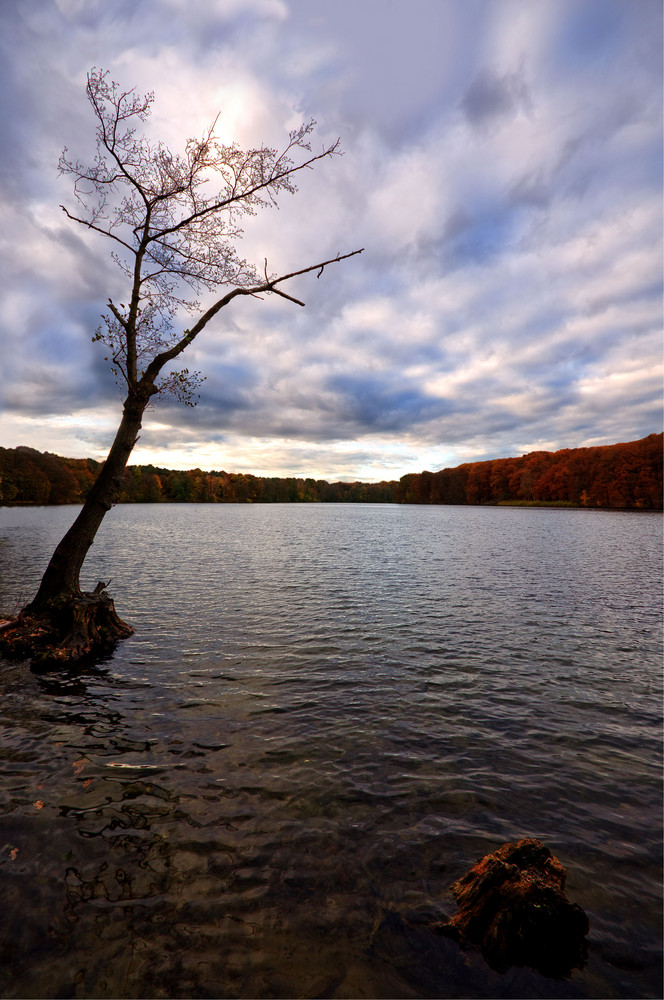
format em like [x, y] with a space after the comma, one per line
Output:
[173, 222]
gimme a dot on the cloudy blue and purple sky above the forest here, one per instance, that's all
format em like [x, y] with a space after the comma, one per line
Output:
[501, 169]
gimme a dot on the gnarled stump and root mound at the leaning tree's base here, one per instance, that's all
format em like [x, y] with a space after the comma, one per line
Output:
[68, 630]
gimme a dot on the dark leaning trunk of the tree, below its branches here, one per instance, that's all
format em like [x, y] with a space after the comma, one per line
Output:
[61, 578]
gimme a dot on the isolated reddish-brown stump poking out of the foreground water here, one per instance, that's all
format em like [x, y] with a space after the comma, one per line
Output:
[512, 905]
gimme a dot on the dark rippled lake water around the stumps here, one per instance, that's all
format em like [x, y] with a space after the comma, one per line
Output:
[326, 715]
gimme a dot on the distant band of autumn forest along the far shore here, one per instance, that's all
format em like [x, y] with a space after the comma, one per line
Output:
[619, 476]
